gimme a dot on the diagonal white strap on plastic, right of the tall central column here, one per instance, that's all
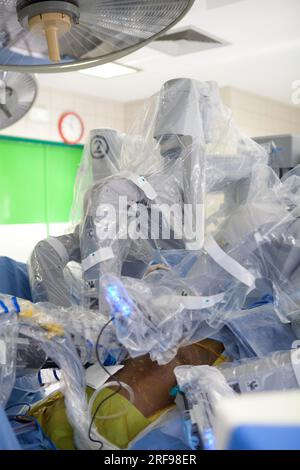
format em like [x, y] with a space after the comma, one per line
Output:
[228, 264]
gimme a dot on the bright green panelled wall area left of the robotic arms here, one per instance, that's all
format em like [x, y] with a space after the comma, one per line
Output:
[36, 180]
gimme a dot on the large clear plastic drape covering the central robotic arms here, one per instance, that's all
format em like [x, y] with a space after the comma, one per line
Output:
[184, 167]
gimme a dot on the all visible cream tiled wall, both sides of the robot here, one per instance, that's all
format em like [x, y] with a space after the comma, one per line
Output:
[256, 115]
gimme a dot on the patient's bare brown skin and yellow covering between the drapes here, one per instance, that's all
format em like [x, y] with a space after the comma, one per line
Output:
[151, 384]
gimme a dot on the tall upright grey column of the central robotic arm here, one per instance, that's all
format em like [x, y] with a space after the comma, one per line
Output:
[183, 128]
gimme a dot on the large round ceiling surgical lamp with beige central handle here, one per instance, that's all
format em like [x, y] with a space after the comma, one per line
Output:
[62, 35]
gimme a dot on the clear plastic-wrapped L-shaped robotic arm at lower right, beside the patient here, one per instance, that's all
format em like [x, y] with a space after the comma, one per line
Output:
[205, 387]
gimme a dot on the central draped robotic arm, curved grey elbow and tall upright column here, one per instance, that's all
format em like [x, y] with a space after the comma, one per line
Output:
[181, 129]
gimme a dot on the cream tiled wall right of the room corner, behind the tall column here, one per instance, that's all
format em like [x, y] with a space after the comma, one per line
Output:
[255, 115]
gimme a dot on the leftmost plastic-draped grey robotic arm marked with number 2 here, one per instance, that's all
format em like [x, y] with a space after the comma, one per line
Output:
[50, 257]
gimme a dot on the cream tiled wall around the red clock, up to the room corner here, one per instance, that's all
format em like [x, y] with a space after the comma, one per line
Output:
[95, 113]
